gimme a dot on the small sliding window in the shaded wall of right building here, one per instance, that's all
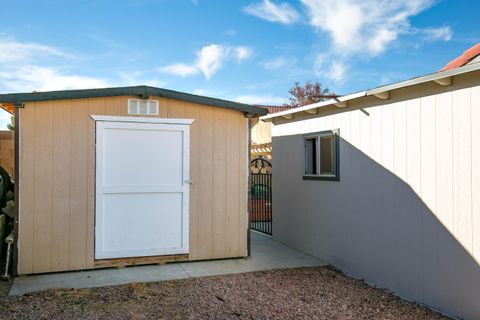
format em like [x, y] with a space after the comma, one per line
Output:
[321, 156]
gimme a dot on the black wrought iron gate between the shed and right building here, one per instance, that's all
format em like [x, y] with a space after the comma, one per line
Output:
[260, 203]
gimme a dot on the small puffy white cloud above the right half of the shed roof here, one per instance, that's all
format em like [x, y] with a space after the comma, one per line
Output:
[209, 61]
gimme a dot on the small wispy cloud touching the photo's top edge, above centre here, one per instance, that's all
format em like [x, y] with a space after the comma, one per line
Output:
[267, 10]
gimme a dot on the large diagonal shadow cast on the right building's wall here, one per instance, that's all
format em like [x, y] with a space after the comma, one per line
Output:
[373, 225]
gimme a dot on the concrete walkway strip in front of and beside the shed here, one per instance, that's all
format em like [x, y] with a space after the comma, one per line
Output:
[265, 254]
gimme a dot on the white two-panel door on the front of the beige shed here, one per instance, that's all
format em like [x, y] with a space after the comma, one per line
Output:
[142, 185]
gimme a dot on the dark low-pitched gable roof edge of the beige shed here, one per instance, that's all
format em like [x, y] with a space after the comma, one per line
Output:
[141, 91]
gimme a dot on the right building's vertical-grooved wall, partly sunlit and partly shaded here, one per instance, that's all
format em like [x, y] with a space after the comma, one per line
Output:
[405, 214]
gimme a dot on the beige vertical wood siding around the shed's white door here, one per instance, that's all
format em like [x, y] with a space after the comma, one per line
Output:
[57, 179]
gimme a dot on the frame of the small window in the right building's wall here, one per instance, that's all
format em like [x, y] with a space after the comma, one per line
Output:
[335, 156]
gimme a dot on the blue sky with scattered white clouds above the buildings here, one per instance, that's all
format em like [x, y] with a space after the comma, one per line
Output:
[246, 50]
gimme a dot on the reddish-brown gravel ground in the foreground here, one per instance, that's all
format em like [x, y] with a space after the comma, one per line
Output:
[303, 293]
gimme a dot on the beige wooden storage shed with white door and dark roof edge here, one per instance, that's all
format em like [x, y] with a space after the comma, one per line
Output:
[131, 175]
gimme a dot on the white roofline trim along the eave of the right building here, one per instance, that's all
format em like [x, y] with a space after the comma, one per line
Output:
[343, 100]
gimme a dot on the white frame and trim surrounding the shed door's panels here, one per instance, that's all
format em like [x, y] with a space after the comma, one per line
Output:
[102, 122]
